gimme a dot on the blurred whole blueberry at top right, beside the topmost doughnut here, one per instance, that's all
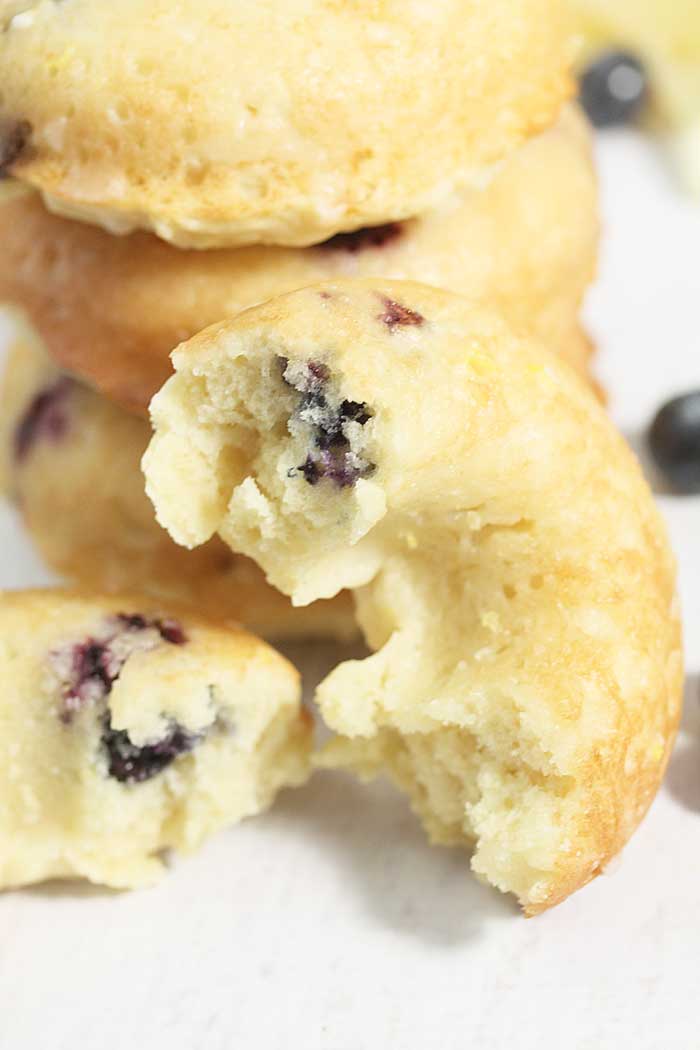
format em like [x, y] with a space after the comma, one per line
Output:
[614, 90]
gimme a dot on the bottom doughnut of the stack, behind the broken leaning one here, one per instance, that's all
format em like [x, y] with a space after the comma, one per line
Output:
[70, 460]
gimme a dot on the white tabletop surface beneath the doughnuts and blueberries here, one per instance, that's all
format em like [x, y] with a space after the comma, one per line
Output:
[330, 925]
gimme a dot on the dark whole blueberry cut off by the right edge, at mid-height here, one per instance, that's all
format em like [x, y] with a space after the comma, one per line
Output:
[674, 440]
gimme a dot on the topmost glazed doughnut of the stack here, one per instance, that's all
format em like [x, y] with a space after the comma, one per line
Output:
[171, 118]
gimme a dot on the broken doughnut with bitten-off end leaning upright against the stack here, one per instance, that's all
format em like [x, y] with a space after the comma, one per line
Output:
[512, 573]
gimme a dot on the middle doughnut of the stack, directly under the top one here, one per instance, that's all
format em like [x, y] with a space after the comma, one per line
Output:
[112, 309]
